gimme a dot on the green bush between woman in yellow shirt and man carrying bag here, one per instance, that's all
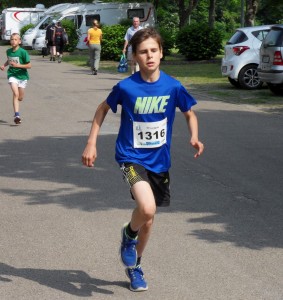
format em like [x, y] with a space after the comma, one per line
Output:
[112, 42]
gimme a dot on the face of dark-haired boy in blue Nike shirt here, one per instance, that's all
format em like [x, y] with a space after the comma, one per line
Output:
[148, 55]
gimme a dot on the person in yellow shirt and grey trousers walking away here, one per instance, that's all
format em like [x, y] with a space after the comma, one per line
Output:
[94, 38]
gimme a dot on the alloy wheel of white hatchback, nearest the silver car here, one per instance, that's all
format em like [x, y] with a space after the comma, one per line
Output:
[248, 77]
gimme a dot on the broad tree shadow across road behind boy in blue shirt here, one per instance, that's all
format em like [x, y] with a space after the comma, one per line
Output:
[236, 184]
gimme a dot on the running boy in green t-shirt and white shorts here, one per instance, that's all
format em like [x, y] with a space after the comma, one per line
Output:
[18, 61]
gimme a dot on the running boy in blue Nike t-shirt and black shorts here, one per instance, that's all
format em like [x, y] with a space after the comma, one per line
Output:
[148, 99]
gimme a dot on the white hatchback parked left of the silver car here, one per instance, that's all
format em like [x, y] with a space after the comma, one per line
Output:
[241, 57]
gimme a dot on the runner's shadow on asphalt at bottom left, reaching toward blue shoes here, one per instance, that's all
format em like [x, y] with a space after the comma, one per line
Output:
[73, 282]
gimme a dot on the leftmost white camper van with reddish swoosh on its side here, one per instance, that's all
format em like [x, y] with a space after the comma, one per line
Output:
[14, 18]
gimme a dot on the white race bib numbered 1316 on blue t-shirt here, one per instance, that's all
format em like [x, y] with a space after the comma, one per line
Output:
[150, 134]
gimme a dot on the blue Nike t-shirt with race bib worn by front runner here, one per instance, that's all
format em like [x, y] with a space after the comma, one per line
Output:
[147, 116]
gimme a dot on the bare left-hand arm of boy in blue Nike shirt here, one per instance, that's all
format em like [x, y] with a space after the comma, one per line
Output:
[89, 155]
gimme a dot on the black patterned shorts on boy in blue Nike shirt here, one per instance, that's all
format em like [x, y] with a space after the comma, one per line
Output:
[159, 182]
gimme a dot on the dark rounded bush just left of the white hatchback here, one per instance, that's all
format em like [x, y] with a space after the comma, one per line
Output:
[199, 41]
